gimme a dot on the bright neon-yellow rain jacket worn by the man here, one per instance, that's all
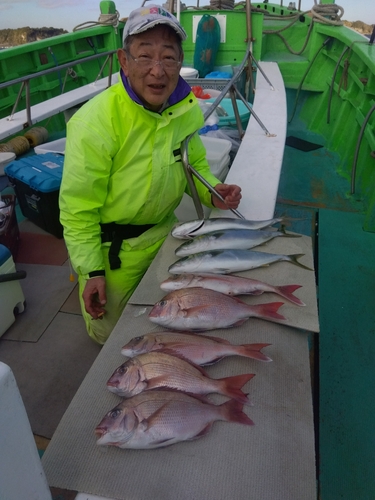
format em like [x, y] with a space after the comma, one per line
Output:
[122, 164]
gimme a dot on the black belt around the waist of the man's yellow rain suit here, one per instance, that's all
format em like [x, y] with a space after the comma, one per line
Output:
[116, 233]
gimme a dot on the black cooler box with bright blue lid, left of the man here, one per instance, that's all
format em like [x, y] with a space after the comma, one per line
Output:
[36, 181]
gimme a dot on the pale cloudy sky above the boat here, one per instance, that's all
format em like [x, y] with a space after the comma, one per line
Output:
[67, 14]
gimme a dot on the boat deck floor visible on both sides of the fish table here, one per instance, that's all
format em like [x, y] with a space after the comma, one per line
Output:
[60, 353]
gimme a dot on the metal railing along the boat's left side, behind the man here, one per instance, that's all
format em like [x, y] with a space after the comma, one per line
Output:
[25, 82]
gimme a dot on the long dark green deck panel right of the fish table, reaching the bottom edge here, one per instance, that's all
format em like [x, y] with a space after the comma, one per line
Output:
[347, 354]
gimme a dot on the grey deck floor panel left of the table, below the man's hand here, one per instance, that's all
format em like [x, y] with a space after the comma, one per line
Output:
[49, 372]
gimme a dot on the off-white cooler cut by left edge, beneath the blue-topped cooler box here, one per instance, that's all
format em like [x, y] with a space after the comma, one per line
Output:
[11, 295]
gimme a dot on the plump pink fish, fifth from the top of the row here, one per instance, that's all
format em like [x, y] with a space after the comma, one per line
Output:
[197, 309]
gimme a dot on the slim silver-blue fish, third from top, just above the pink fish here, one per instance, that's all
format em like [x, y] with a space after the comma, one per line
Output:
[229, 261]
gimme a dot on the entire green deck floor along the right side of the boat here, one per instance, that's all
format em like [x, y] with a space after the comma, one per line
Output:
[344, 371]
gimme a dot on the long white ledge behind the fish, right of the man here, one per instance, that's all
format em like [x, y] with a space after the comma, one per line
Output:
[257, 165]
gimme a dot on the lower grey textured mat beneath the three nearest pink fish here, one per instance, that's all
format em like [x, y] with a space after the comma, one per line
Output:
[273, 459]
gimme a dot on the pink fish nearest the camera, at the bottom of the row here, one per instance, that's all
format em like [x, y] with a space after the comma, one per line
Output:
[156, 419]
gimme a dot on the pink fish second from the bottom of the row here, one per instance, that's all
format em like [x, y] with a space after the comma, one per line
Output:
[157, 370]
